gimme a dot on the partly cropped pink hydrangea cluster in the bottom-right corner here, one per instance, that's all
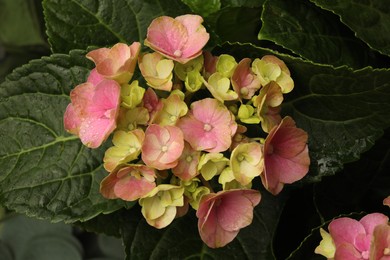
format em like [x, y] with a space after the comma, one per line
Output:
[349, 239]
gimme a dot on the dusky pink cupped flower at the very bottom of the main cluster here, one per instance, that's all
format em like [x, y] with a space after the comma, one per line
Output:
[222, 215]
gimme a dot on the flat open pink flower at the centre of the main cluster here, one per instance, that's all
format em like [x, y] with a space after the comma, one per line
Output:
[208, 126]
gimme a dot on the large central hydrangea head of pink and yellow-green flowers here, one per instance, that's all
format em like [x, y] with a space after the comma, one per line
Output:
[180, 139]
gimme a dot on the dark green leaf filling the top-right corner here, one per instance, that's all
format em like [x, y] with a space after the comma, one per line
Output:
[368, 19]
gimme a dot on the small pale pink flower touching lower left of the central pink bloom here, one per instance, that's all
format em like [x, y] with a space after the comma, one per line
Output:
[162, 146]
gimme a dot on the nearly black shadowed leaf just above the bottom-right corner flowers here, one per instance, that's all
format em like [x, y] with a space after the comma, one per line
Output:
[360, 186]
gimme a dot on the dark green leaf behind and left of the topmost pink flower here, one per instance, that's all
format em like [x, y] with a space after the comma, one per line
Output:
[77, 24]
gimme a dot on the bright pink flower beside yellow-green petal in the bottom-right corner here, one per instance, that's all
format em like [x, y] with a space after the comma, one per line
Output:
[352, 238]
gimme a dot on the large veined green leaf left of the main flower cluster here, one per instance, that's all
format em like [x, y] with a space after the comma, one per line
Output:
[46, 172]
